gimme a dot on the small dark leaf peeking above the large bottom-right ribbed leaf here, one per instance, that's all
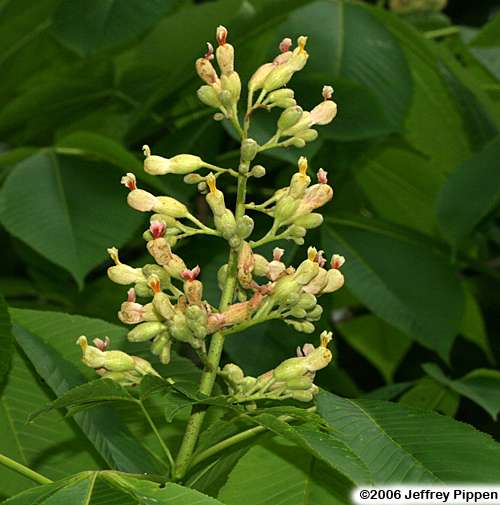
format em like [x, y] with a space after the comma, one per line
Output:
[429, 394]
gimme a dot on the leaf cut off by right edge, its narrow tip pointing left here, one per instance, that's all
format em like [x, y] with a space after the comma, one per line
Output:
[481, 386]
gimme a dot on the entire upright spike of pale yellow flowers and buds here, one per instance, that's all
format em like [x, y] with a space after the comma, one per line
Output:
[165, 303]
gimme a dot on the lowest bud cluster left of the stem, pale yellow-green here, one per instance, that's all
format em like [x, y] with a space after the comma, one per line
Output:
[115, 365]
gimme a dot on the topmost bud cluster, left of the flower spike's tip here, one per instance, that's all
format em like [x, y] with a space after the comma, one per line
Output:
[220, 92]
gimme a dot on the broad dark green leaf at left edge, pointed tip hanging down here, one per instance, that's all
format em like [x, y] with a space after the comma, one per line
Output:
[76, 207]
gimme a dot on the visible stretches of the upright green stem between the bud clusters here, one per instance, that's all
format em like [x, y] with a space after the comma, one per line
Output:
[216, 344]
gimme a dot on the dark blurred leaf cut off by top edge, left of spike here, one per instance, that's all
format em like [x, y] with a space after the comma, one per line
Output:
[96, 25]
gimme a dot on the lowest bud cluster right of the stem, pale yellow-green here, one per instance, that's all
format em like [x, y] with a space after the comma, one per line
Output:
[293, 378]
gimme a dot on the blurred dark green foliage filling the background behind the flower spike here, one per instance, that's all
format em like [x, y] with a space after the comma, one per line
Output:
[413, 157]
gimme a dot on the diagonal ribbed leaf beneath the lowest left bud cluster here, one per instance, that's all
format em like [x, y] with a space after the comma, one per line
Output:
[48, 339]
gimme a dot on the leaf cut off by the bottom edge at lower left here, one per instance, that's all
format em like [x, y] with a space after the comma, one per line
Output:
[104, 488]
